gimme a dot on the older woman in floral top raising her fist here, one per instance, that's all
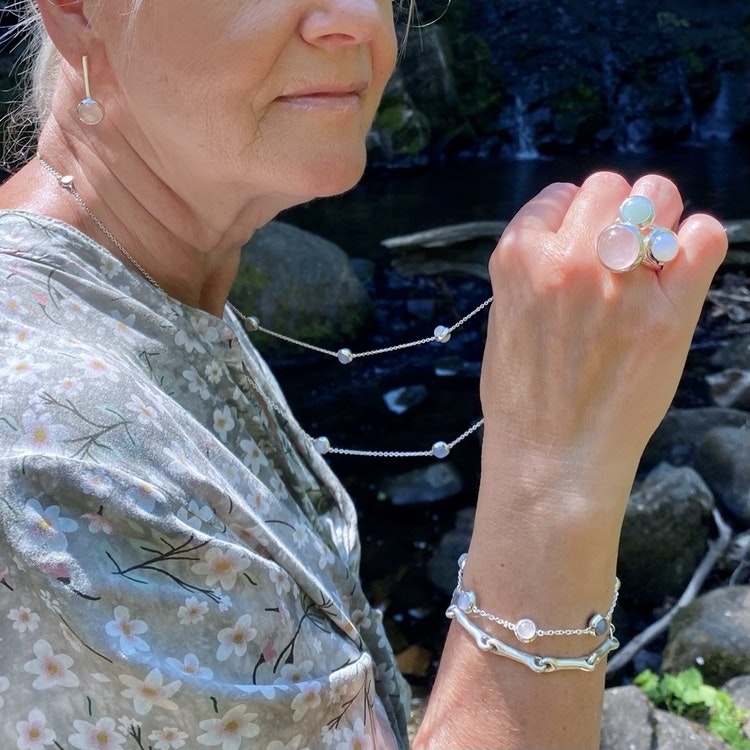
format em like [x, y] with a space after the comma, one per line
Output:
[178, 566]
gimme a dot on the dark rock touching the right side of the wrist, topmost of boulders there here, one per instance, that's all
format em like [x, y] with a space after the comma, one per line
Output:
[682, 430]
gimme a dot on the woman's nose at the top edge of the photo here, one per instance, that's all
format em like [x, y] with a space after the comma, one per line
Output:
[336, 23]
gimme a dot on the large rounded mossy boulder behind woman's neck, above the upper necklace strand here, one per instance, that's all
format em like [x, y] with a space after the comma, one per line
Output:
[301, 285]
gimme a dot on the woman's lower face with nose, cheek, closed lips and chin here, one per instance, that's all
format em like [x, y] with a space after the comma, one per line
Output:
[230, 100]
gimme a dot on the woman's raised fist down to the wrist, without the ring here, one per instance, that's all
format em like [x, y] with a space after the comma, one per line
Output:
[582, 363]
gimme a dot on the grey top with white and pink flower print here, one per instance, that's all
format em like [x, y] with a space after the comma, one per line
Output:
[178, 567]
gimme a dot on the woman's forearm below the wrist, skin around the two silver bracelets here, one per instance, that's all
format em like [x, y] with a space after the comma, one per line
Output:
[557, 573]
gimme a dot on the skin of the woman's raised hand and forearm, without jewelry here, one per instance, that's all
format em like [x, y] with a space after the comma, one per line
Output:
[579, 368]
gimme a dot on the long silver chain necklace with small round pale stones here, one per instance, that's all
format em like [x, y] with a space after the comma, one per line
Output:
[441, 335]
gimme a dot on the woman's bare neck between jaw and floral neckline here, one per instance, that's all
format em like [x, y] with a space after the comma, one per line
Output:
[191, 252]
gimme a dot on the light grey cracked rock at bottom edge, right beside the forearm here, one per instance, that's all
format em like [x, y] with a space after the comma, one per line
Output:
[630, 722]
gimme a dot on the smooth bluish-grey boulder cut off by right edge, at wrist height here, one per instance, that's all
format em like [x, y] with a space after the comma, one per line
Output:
[723, 460]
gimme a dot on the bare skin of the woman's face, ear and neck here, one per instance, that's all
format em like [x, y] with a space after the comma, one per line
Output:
[208, 135]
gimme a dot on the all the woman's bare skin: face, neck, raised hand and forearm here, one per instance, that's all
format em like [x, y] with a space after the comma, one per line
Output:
[221, 113]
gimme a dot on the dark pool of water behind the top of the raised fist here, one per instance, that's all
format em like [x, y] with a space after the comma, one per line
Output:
[713, 177]
